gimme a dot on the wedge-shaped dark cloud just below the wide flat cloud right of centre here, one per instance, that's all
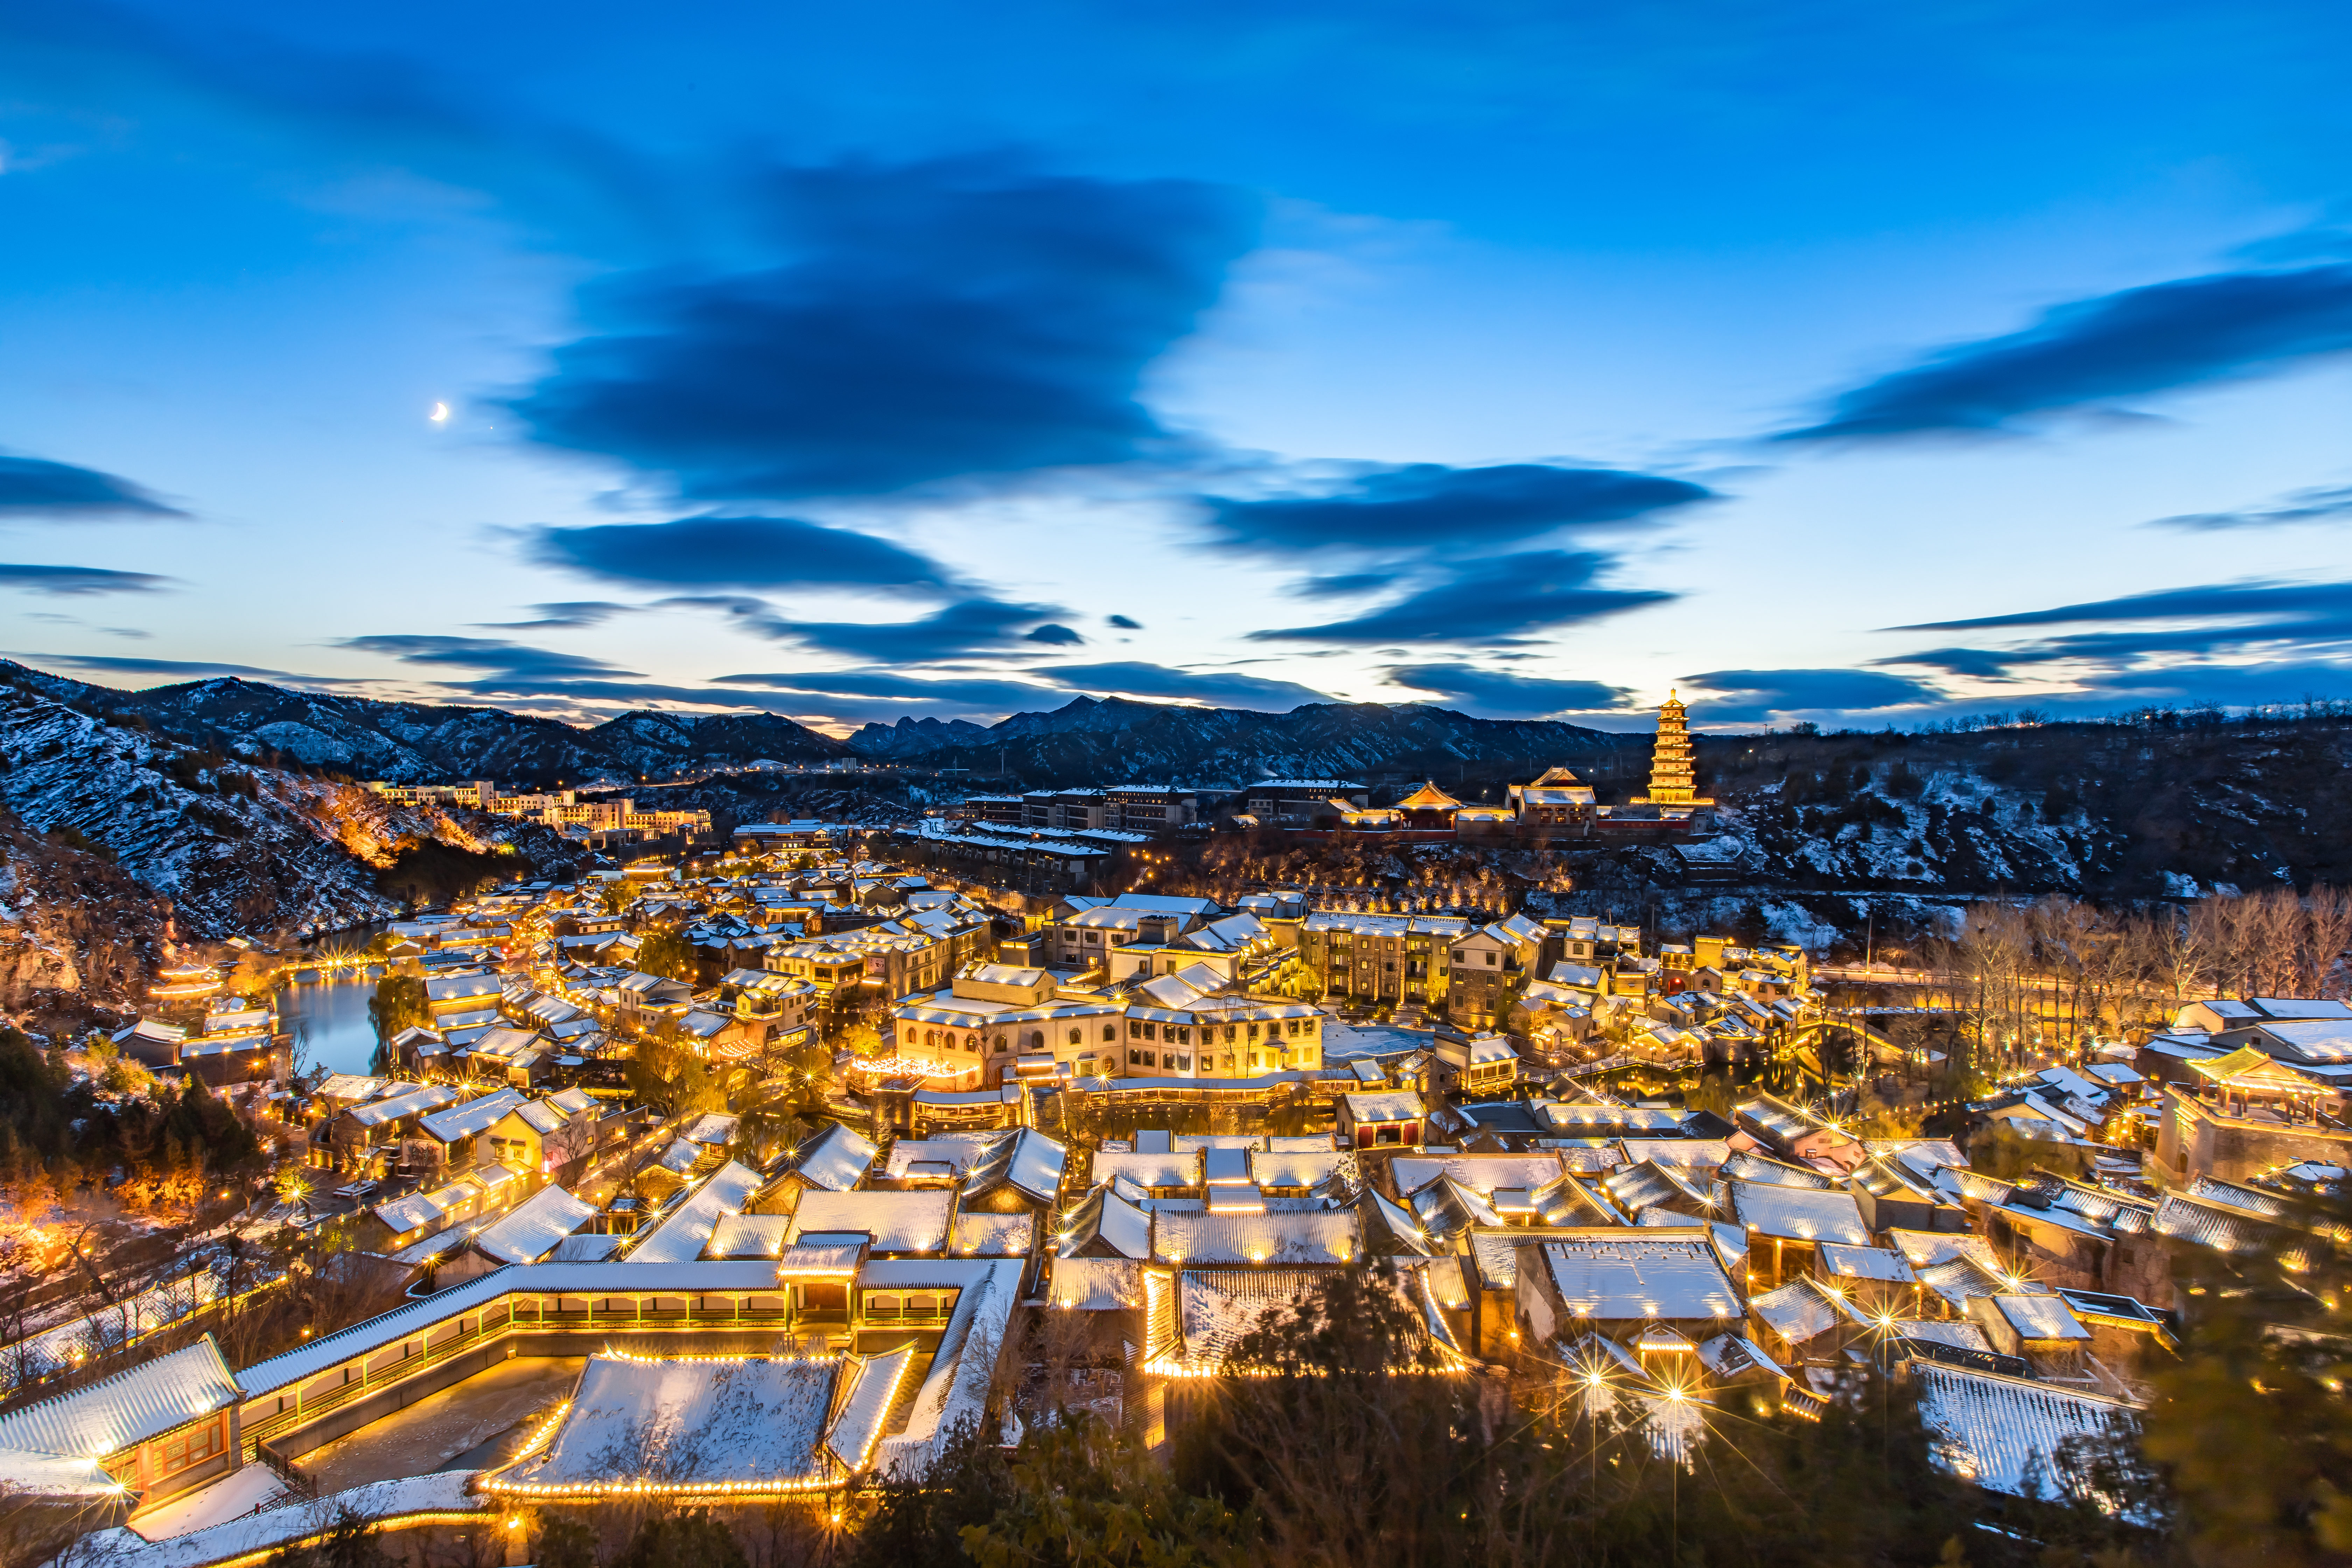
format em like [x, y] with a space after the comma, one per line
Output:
[1485, 601]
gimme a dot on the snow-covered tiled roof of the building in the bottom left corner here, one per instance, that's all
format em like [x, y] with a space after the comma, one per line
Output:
[112, 1416]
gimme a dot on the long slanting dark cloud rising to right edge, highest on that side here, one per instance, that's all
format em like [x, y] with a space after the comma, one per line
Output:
[2102, 351]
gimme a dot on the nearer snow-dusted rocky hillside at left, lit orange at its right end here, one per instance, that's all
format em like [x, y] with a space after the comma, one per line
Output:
[232, 845]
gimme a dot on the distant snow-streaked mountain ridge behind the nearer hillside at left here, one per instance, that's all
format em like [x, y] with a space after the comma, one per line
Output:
[422, 742]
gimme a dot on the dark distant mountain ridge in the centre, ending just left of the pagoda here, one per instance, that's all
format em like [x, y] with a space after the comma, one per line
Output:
[1118, 742]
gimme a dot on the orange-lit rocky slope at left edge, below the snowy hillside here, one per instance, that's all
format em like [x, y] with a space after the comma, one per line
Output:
[79, 937]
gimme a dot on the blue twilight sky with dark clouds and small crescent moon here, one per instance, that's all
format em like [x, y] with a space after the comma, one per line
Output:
[1843, 363]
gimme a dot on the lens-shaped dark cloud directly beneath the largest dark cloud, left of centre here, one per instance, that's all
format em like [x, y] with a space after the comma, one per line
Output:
[740, 554]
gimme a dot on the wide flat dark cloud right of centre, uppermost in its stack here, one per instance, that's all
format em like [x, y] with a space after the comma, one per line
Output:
[1429, 507]
